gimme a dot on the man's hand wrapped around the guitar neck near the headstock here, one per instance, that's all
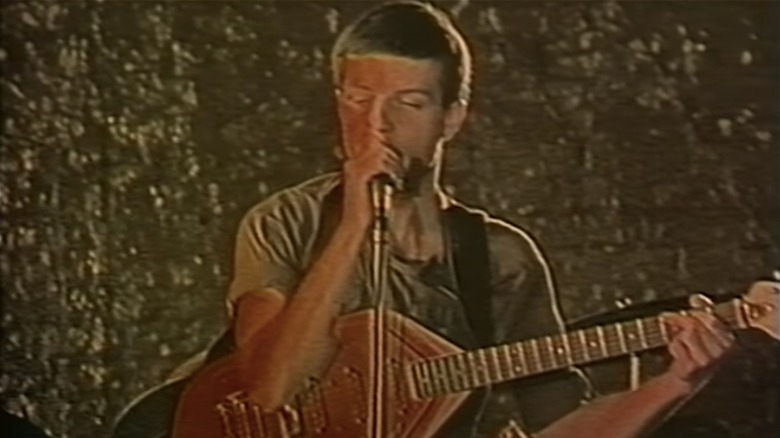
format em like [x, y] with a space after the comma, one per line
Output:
[699, 343]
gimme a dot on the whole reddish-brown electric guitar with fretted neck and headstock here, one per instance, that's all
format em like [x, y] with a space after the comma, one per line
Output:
[427, 377]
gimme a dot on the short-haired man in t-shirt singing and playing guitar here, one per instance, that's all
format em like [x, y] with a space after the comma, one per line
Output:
[402, 76]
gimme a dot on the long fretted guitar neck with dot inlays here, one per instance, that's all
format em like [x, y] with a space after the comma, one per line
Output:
[473, 369]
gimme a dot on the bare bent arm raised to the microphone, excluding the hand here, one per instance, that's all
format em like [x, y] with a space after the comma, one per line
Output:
[281, 339]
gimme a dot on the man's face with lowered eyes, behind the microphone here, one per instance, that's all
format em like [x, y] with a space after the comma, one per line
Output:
[396, 102]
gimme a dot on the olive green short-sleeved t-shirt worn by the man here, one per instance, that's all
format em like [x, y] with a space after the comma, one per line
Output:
[277, 241]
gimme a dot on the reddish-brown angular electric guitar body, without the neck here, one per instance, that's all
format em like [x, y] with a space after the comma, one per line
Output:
[339, 404]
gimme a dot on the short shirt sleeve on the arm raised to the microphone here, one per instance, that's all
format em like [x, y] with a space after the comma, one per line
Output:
[267, 253]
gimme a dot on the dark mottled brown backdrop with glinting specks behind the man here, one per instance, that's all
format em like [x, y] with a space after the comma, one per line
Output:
[636, 139]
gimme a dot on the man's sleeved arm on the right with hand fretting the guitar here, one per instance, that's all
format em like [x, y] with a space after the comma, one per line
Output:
[527, 305]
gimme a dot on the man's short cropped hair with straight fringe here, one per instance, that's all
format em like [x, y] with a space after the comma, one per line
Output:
[415, 30]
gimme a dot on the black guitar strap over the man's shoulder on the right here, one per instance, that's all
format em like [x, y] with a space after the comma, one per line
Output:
[468, 240]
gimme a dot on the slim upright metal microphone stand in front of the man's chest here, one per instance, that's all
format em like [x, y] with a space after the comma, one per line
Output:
[381, 197]
